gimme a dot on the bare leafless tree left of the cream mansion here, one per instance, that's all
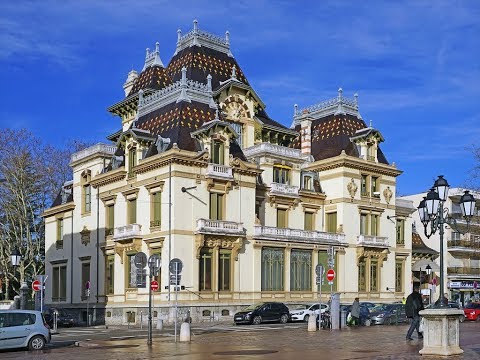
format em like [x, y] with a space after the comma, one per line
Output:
[31, 174]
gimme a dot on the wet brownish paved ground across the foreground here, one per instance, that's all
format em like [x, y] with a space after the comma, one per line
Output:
[275, 341]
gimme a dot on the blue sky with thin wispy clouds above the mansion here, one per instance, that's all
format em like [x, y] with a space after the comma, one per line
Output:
[415, 65]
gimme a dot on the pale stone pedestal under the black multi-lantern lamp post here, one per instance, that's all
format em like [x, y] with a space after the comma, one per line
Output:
[441, 333]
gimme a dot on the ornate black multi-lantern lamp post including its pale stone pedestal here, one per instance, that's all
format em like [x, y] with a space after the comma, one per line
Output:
[441, 335]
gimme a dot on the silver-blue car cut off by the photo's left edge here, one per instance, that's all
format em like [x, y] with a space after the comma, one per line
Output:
[23, 329]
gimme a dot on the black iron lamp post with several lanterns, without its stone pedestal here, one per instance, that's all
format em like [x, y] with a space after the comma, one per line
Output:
[433, 216]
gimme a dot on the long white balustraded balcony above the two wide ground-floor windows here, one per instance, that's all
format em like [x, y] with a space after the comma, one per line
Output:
[298, 235]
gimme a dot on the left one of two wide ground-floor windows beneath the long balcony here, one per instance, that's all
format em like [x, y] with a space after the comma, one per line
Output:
[273, 260]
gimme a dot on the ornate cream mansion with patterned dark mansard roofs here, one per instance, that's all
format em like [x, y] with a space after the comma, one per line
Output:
[198, 171]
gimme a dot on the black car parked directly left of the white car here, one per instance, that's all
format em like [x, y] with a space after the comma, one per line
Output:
[263, 312]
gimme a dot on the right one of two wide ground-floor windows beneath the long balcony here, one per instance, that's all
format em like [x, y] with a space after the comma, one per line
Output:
[300, 270]
